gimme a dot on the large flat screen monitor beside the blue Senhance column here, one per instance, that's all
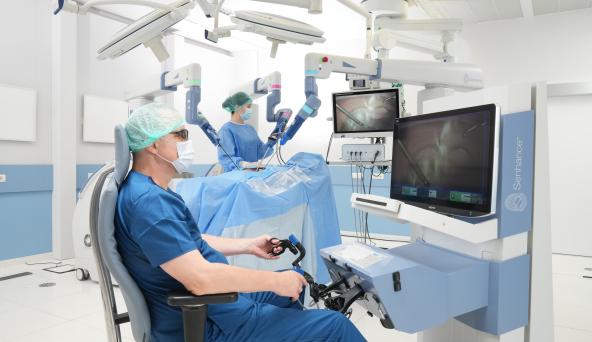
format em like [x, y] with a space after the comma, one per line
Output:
[447, 161]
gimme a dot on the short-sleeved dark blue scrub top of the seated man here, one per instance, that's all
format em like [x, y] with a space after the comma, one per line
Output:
[154, 226]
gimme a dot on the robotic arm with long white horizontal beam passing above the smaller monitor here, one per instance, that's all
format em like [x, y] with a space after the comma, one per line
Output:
[437, 77]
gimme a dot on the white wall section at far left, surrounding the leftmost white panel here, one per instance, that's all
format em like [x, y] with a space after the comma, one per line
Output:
[26, 62]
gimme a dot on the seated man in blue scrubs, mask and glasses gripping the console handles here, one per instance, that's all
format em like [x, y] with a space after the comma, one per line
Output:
[164, 251]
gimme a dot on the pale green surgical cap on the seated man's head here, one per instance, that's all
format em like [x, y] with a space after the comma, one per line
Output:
[150, 123]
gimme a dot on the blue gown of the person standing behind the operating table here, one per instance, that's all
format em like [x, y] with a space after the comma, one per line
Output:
[242, 143]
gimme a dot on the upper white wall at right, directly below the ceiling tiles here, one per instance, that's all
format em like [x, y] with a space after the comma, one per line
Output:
[555, 48]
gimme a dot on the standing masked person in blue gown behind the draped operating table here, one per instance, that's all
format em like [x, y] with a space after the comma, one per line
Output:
[240, 140]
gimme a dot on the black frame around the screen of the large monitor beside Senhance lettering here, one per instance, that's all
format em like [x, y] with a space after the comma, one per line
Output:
[457, 208]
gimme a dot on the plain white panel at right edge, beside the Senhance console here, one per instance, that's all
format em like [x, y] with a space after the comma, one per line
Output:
[570, 159]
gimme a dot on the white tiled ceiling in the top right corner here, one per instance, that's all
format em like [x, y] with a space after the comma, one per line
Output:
[489, 10]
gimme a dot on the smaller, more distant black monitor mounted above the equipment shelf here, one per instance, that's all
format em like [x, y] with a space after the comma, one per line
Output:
[365, 112]
